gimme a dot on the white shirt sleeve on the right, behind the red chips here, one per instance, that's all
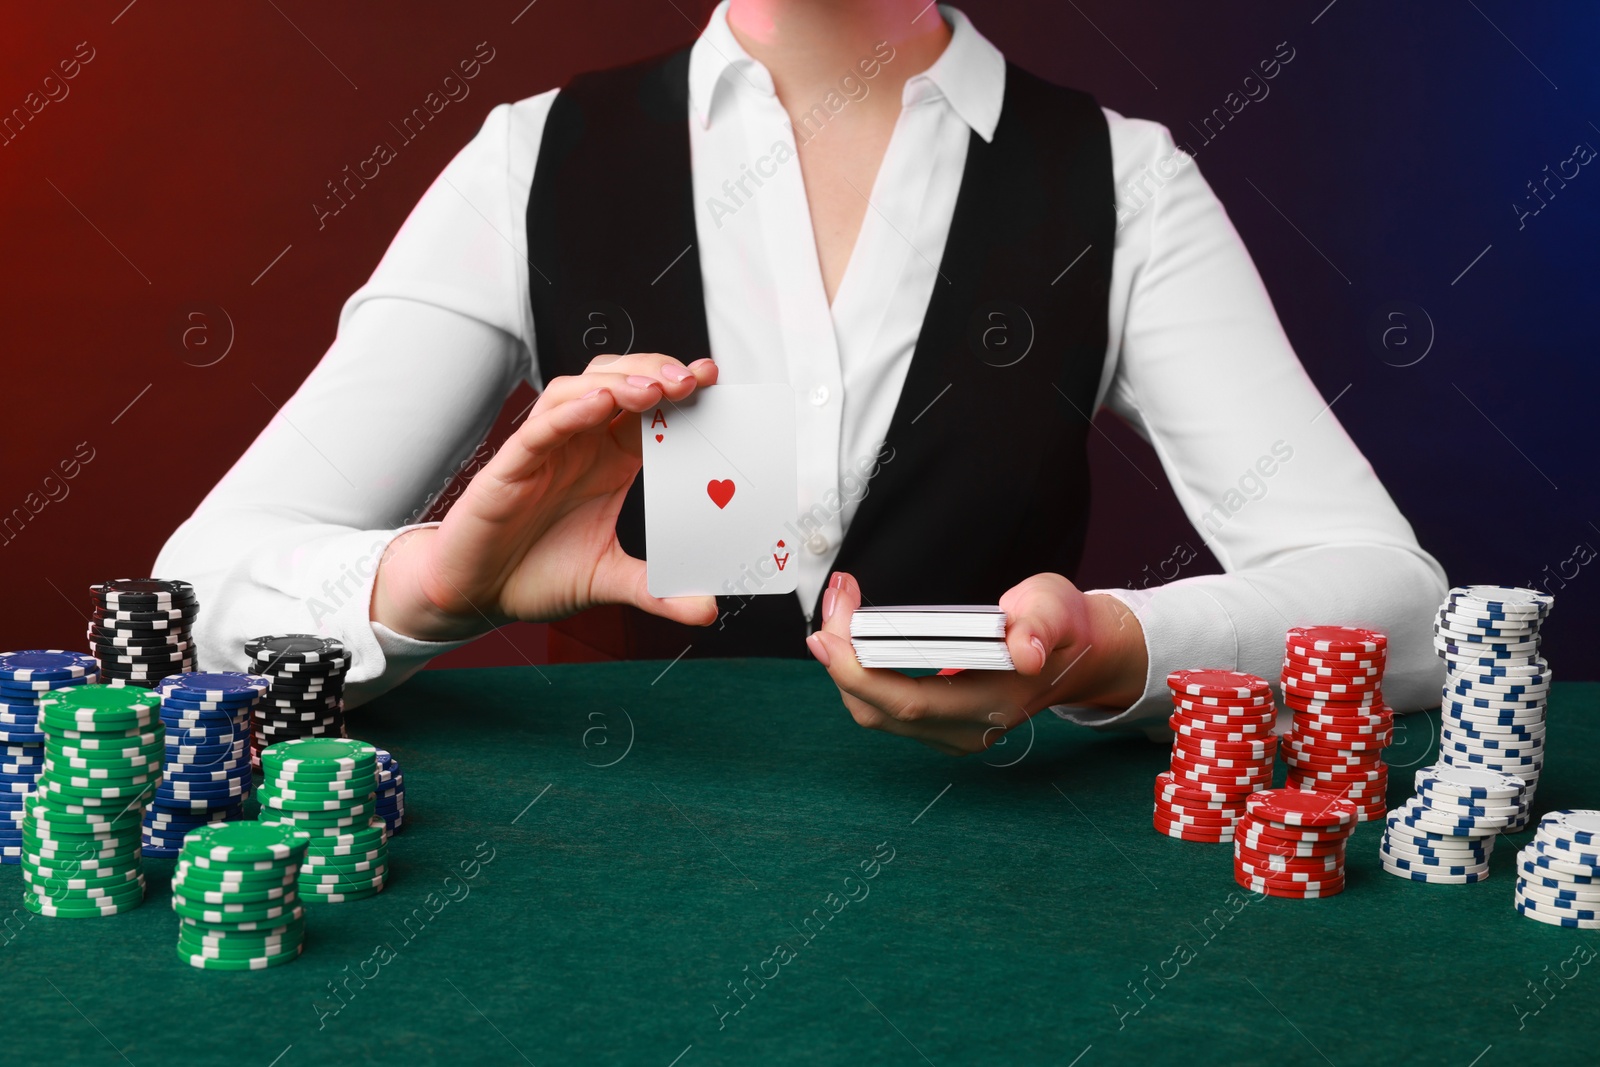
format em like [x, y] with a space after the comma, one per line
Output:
[1279, 492]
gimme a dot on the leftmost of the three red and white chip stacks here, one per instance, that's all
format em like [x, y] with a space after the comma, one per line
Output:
[1223, 751]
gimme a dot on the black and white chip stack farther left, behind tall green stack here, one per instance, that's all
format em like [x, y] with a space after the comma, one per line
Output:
[142, 629]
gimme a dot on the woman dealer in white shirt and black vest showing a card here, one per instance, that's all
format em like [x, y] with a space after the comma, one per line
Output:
[953, 263]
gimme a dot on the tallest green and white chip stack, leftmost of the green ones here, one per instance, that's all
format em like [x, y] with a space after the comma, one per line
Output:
[82, 823]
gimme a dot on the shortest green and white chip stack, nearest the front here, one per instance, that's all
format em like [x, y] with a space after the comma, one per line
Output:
[236, 895]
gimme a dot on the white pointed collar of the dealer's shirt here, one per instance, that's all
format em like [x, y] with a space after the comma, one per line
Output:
[970, 74]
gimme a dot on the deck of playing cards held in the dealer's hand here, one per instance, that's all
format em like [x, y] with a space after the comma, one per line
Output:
[940, 637]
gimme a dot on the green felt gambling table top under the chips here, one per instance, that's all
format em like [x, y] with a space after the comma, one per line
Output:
[598, 855]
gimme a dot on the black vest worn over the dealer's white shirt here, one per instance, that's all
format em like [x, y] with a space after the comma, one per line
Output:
[985, 476]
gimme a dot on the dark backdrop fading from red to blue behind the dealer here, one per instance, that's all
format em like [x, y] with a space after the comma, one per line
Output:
[190, 150]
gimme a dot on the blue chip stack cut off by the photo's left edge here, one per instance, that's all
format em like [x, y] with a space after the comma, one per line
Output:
[25, 679]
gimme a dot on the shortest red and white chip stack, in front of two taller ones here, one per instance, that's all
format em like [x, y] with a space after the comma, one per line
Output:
[1290, 844]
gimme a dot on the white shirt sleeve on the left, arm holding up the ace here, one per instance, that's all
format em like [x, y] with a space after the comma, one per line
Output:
[425, 358]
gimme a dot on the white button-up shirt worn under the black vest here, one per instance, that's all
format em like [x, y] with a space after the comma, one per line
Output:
[1196, 361]
